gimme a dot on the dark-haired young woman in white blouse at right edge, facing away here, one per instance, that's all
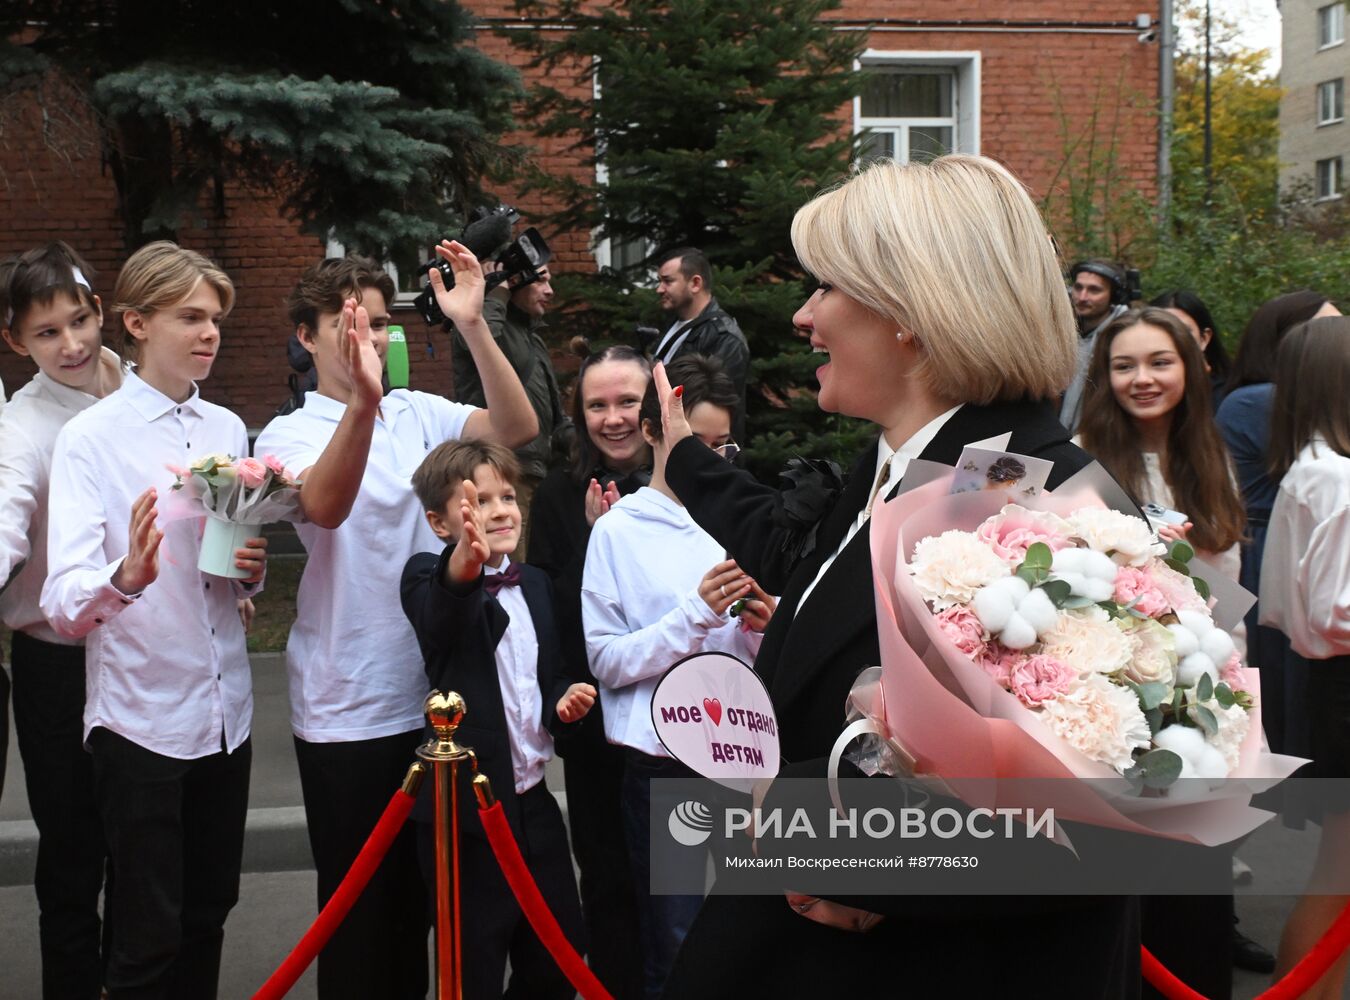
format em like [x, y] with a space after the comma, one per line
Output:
[1306, 593]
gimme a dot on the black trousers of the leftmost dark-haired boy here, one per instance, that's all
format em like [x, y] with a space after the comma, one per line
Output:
[72, 854]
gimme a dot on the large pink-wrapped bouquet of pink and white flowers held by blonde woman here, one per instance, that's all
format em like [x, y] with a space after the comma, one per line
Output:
[1058, 638]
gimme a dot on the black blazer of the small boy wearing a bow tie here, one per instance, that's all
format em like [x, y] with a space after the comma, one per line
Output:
[458, 631]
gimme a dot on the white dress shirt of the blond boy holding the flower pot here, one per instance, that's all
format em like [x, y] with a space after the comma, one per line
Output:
[167, 669]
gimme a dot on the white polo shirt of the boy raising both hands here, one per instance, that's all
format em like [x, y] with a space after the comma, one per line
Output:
[354, 662]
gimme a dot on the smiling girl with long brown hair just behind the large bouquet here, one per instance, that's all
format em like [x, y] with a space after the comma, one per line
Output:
[1147, 420]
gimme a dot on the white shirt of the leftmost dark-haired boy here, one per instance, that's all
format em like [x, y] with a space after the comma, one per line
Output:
[29, 428]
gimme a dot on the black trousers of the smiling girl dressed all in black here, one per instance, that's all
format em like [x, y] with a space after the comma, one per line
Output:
[595, 775]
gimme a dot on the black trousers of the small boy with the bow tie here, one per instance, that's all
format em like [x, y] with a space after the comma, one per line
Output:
[493, 928]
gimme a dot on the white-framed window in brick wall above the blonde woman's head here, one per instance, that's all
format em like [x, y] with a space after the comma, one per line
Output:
[919, 106]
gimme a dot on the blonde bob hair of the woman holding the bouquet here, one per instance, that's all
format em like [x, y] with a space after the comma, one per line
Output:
[955, 253]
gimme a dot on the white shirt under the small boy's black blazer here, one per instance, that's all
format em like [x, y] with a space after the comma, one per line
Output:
[518, 674]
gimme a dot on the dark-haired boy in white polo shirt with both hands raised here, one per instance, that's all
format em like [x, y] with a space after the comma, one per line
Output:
[357, 684]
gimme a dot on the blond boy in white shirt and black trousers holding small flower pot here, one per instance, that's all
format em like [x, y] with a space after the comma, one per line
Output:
[169, 693]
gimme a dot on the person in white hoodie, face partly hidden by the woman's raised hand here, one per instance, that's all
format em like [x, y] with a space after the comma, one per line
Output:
[658, 589]
